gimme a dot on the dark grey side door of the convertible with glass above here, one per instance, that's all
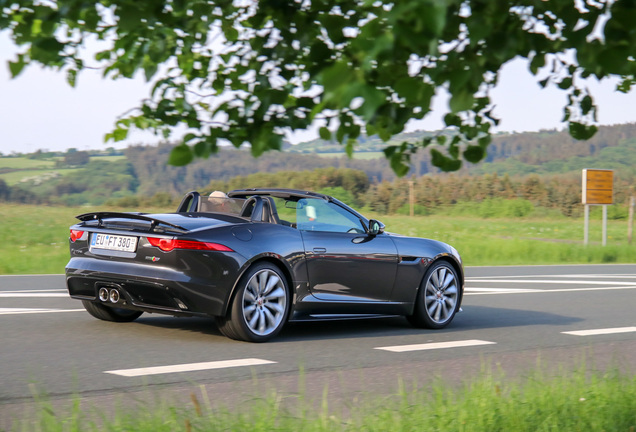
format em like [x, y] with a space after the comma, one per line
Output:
[344, 263]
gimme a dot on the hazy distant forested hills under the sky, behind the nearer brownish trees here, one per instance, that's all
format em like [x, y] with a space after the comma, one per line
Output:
[143, 170]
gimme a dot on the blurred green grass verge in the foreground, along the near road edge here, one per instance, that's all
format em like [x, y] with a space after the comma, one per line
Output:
[570, 401]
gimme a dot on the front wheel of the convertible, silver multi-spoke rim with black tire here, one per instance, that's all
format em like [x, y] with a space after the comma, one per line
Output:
[438, 298]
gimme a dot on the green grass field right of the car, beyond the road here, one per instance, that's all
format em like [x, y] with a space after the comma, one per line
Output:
[517, 241]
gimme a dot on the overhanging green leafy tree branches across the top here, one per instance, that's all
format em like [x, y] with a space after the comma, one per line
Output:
[247, 71]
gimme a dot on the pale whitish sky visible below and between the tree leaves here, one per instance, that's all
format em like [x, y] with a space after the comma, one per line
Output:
[40, 111]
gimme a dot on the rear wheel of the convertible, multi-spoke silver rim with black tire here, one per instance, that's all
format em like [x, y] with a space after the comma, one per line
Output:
[259, 307]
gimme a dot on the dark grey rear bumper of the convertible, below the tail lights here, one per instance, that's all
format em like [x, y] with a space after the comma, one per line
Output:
[155, 289]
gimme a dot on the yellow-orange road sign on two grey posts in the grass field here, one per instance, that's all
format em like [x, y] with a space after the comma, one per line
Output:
[598, 189]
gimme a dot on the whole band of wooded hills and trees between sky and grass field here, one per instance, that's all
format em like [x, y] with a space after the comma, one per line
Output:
[541, 169]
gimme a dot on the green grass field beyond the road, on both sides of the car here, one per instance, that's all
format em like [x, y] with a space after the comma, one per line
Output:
[35, 238]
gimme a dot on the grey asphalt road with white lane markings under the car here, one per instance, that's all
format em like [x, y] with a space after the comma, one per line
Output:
[513, 319]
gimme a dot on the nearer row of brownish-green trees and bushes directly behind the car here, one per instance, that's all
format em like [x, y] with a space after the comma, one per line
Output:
[488, 195]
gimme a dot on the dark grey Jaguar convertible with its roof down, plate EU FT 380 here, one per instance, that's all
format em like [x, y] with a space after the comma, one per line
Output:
[256, 259]
